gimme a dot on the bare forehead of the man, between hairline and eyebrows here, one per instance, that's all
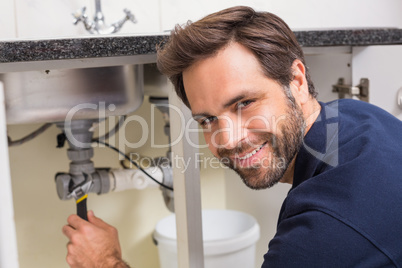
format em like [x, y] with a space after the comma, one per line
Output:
[216, 82]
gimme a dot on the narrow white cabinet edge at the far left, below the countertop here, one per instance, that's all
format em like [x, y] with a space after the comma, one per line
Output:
[8, 237]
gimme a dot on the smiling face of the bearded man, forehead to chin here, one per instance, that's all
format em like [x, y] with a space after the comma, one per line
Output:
[248, 122]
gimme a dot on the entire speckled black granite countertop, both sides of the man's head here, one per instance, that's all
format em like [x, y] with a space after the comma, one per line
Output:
[131, 45]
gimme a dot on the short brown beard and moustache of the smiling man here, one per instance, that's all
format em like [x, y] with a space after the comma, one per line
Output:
[282, 148]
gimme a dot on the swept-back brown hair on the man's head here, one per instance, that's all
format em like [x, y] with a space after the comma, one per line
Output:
[264, 33]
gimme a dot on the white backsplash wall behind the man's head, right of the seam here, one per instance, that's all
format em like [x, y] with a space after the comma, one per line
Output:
[304, 14]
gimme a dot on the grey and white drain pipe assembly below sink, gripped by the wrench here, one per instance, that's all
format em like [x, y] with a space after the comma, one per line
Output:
[84, 178]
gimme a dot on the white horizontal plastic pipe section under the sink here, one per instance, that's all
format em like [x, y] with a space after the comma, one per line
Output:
[124, 179]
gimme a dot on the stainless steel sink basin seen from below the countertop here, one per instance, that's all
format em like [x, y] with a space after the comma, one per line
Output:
[86, 93]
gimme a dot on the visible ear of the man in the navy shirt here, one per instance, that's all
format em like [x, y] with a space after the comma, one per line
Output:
[299, 84]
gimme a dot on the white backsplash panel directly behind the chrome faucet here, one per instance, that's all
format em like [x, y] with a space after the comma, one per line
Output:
[54, 18]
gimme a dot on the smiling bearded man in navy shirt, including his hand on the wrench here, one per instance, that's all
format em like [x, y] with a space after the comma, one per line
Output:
[243, 75]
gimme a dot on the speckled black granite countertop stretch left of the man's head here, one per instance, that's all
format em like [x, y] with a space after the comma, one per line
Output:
[78, 48]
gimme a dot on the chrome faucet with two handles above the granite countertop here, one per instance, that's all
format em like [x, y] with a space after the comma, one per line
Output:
[98, 25]
